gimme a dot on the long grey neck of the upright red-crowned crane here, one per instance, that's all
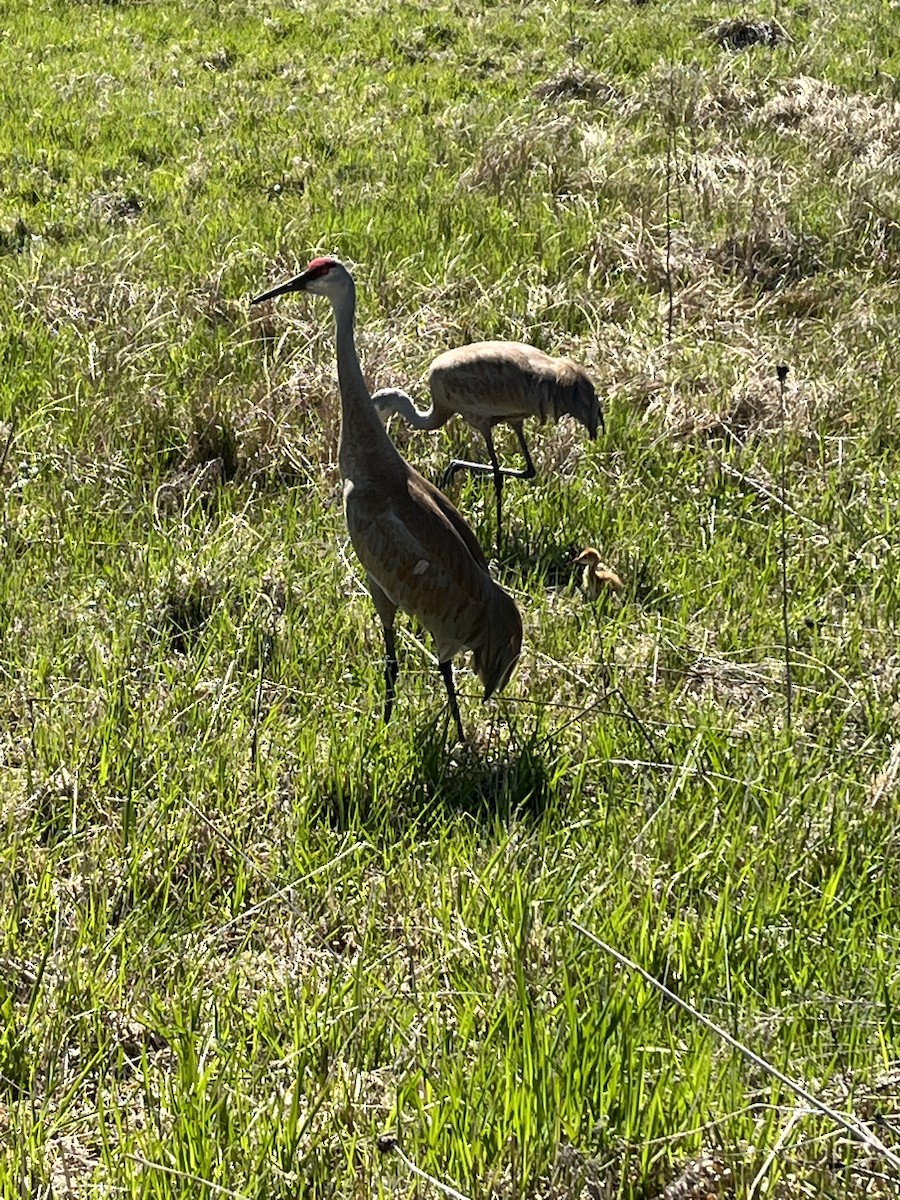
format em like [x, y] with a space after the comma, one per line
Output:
[364, 441]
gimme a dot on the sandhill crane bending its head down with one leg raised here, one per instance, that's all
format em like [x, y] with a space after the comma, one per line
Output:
[489, 383]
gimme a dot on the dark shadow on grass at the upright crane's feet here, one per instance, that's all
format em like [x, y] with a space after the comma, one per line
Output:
[437, 782]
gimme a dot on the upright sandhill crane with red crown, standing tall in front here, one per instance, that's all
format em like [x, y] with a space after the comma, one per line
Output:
[418, 553]
